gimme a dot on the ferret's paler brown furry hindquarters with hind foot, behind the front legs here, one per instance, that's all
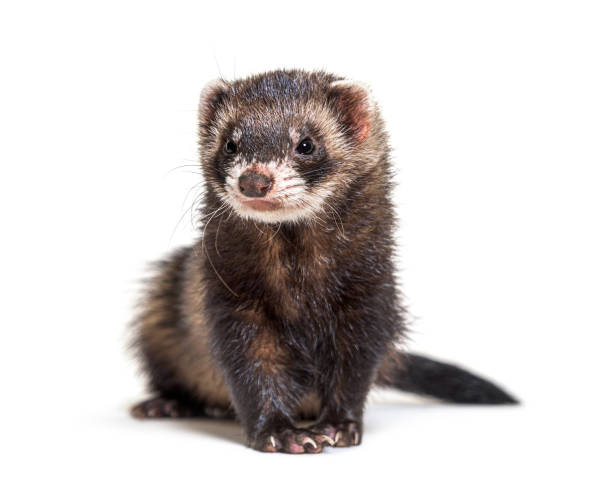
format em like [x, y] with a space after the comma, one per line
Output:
[171, 339]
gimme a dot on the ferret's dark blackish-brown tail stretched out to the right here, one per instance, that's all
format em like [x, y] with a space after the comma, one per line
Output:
[421, 375]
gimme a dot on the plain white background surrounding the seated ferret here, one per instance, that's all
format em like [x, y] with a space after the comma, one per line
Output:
[500, 116]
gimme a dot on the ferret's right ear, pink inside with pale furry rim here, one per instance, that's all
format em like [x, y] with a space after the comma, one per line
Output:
[355, 105]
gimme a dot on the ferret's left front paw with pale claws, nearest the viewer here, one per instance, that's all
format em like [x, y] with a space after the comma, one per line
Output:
[292, 440]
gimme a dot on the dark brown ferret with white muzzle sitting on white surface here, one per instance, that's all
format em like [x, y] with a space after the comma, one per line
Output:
[287, 309]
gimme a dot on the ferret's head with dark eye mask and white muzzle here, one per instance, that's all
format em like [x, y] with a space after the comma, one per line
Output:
[282, 145]
